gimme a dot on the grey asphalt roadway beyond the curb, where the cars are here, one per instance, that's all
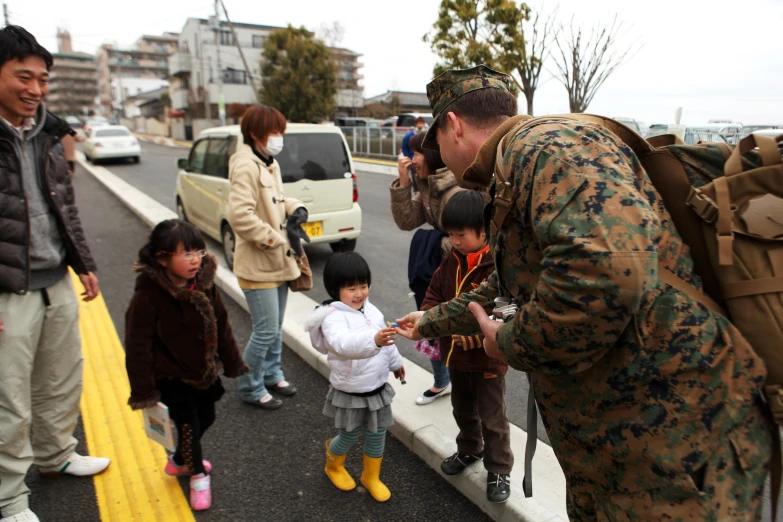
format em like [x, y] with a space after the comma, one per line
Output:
[383, 245]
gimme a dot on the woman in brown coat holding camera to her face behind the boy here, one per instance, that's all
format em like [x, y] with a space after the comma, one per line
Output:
[436, 185]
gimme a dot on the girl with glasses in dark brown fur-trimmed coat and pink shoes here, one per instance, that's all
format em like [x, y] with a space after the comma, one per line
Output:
[177, 338]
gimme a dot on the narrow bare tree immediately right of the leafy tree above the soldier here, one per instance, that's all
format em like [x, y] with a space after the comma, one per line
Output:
[540, 33]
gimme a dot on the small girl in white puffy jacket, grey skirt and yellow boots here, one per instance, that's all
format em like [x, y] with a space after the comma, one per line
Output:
[361, 353]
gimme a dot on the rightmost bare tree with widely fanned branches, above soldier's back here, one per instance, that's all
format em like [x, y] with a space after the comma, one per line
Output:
[585, 61]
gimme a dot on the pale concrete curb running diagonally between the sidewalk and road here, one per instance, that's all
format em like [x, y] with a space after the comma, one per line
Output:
[429, 432]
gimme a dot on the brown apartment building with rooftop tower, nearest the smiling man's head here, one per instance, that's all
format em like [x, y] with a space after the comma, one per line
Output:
[73, 84]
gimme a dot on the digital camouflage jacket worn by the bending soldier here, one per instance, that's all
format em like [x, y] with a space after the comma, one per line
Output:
[637, 383]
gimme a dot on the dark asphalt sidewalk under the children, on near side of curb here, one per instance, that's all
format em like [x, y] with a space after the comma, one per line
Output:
[267, 465]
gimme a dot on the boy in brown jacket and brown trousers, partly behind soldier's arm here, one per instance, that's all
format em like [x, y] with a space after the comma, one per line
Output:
[478, 381]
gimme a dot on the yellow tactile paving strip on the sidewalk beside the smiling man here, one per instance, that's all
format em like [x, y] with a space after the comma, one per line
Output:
[134, 488]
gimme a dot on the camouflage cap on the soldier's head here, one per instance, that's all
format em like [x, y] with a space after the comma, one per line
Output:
[455, 83]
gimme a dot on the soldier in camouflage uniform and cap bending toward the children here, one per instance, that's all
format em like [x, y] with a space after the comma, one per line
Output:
[651, 401]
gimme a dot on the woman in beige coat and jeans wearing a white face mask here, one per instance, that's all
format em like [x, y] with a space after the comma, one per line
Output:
[267, 226]
